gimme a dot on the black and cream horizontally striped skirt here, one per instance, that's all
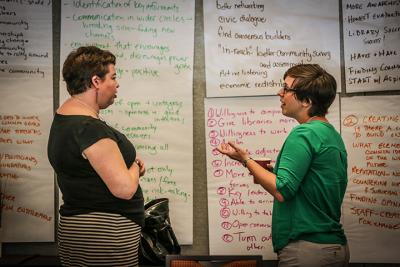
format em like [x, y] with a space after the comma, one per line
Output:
[98, 239]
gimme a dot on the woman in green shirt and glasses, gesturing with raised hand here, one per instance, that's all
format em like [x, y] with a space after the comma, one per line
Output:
[310, 176]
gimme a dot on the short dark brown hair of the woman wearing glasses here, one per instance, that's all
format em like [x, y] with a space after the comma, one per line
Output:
[313, 84]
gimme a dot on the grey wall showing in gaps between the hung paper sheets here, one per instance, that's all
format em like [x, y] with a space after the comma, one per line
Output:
[200, 235]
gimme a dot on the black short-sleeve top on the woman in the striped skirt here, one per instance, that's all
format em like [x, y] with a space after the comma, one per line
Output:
[83, 190]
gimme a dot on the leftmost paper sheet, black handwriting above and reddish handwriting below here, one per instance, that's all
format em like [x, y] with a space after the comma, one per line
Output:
[27, 180]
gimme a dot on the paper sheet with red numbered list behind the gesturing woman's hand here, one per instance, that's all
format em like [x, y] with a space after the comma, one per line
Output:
[239, 210]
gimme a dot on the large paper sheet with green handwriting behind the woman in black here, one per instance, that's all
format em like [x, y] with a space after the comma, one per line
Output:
[154, 104]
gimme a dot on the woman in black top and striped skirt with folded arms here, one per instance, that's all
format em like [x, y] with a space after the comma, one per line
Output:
[97, 168]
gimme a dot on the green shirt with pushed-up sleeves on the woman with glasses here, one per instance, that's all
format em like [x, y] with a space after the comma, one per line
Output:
[311, 171]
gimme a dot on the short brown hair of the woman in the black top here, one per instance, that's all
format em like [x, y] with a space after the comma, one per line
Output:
[82, 64]
